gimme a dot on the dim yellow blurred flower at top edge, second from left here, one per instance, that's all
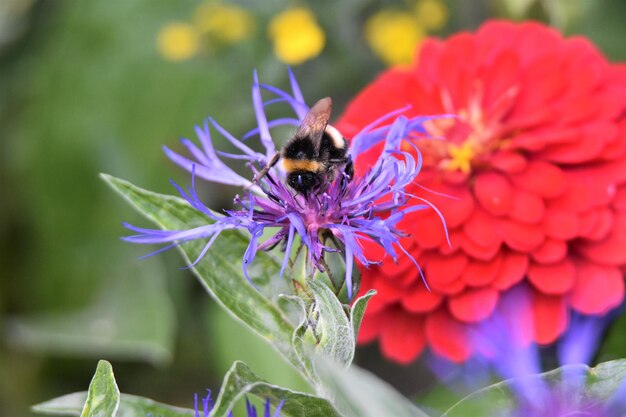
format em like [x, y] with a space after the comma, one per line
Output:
[227, 23]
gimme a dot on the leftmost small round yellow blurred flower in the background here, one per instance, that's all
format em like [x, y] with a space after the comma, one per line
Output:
[178, 41]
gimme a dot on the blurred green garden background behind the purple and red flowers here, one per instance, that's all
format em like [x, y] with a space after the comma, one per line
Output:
[98, 86]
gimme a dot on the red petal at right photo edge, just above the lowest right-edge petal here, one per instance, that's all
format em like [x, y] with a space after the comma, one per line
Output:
[612, 249]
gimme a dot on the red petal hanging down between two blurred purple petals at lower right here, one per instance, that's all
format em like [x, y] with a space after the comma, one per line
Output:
[550, 317]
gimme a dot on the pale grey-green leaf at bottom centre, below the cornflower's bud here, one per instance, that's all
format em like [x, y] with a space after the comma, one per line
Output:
[358, 393]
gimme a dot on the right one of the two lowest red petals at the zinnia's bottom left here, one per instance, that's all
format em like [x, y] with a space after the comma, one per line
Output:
[447, 337]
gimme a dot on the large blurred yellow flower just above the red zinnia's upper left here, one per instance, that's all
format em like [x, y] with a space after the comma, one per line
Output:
[393, 35]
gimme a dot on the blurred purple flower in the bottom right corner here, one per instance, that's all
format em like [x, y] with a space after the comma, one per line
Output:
[507, 348]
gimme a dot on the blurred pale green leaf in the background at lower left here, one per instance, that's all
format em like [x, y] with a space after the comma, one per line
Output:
[131, 318]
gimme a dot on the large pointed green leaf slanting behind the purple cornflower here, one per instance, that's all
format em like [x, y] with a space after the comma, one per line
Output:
[220, 271]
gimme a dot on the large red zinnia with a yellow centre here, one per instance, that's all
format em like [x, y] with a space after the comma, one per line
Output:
[536, 160]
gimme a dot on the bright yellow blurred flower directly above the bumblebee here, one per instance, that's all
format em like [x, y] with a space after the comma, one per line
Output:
[296, 35]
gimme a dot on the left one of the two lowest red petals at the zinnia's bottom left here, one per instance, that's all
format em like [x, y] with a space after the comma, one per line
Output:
[402, 338]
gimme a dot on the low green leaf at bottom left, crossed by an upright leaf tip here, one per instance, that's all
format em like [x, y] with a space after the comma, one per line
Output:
[130, 406]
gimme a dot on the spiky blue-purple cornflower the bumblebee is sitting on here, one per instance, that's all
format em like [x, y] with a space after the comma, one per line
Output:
[367, 207]
